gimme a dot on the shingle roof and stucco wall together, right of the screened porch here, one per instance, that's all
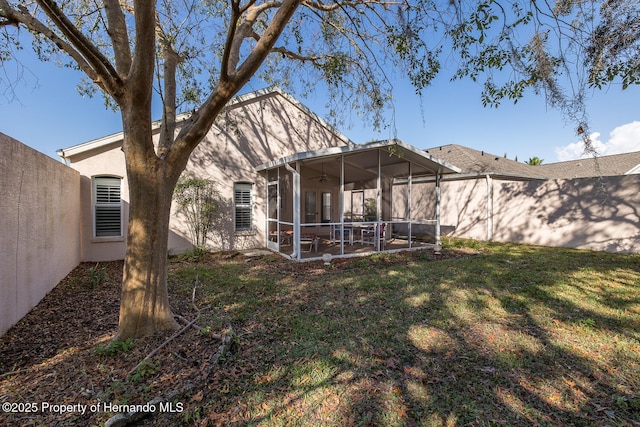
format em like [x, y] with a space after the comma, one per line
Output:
[586, 204]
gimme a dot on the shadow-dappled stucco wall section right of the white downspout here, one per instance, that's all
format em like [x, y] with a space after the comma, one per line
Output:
[589, 213]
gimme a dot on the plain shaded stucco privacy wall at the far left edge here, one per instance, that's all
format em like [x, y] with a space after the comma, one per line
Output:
[39, 217]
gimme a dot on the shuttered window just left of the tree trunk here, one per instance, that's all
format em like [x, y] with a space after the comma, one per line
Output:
[107, 203]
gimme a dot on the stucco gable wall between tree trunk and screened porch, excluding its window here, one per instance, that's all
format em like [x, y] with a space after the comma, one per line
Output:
[247, 135]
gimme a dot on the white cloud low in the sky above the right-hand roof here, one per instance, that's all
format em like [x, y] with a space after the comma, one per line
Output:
[623, 139]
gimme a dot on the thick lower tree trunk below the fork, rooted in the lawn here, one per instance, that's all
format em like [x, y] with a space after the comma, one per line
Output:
[144, 307]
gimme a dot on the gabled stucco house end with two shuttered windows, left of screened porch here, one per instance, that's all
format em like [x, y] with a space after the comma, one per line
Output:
[254, 129]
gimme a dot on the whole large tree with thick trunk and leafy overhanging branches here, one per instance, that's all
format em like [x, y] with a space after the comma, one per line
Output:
[195, 55]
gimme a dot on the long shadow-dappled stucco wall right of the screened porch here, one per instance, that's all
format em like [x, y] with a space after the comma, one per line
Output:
[586, 213]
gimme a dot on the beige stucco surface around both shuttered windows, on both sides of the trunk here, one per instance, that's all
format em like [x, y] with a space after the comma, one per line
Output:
[249, 133]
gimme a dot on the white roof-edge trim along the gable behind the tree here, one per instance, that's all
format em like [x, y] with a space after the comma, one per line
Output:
[241, 99]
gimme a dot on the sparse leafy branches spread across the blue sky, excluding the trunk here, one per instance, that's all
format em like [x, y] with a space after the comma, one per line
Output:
[560, 49]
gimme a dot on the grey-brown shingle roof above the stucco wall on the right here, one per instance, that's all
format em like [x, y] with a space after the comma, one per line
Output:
[474, 163]
